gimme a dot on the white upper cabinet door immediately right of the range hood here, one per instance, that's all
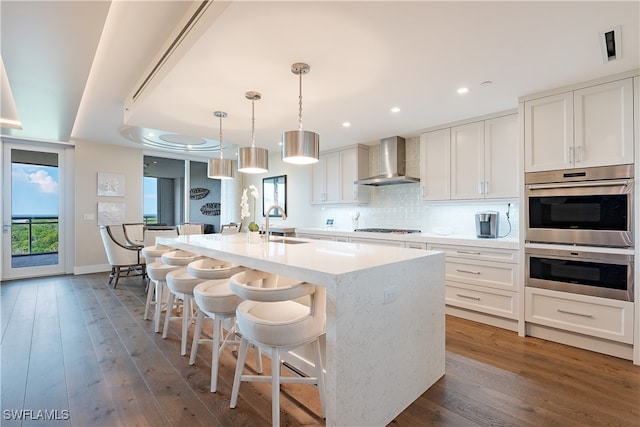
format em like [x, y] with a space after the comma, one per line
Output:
[435, 149]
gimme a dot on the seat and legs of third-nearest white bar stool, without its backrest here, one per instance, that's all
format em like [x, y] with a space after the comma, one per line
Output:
[180, 284]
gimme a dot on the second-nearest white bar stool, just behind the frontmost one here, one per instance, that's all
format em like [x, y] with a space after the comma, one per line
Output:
[215, 299]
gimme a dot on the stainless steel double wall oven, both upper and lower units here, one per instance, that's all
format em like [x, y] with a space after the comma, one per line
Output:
[579, 231]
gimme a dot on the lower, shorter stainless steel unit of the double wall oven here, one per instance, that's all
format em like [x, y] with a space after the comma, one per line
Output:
[606, 275]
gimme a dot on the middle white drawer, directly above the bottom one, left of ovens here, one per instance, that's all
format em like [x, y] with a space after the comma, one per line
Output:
[498, 275]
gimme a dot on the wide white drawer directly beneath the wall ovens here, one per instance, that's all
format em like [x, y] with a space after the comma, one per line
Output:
[598, 317]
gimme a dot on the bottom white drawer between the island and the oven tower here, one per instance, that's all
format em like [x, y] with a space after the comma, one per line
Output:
[502, 304]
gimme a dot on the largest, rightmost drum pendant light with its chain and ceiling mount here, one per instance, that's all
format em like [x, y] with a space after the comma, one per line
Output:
[299, 146]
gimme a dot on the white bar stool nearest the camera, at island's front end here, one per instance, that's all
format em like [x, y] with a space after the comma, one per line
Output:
[271, 319]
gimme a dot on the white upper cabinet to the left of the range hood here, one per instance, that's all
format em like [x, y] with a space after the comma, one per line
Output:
[333, 176]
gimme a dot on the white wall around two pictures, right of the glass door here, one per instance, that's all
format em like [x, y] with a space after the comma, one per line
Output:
[90, 159]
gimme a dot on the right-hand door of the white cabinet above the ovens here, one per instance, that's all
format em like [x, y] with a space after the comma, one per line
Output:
[604, 124]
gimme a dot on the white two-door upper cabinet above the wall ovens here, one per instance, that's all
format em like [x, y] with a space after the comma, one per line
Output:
[587, 127]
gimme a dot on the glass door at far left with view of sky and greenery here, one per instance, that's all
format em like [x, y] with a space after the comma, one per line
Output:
[33, 242]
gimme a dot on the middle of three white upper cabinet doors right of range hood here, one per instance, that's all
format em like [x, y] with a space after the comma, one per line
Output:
[467, 161]
